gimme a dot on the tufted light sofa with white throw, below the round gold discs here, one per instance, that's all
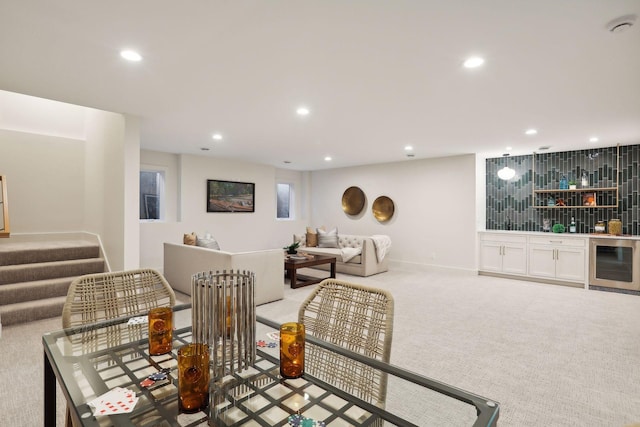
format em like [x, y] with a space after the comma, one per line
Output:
[364, 264]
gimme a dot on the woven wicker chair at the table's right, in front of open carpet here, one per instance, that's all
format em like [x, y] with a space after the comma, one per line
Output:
[357, 318]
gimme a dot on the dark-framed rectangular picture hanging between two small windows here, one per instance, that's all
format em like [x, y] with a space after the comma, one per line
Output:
[230, 196]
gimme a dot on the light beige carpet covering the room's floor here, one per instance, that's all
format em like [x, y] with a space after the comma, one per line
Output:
[551, 355]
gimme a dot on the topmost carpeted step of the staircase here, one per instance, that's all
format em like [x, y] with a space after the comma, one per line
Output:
[12, 253]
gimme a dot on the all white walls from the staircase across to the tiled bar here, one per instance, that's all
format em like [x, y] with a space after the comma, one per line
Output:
[66, 184]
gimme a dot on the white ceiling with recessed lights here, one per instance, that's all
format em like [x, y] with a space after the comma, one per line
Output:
[377, 75]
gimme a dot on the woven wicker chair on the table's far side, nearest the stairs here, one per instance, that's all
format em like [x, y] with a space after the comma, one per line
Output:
[103, 296]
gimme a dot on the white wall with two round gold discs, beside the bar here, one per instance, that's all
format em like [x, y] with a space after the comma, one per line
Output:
[435, 207]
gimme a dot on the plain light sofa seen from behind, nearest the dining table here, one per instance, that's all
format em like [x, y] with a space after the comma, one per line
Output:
[181, 262]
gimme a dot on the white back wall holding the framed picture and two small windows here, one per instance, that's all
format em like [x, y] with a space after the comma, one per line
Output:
[187, 210]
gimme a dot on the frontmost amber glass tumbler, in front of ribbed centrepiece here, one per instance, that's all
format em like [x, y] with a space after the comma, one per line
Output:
[193, 377]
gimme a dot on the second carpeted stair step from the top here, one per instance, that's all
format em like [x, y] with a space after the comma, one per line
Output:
[50, 270]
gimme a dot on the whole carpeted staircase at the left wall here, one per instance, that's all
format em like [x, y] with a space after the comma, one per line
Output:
[35, 276]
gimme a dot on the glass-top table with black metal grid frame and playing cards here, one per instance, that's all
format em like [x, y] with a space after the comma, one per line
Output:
[91, 360]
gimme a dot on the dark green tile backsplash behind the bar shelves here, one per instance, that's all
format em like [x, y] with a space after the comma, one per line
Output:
[512, 205]
